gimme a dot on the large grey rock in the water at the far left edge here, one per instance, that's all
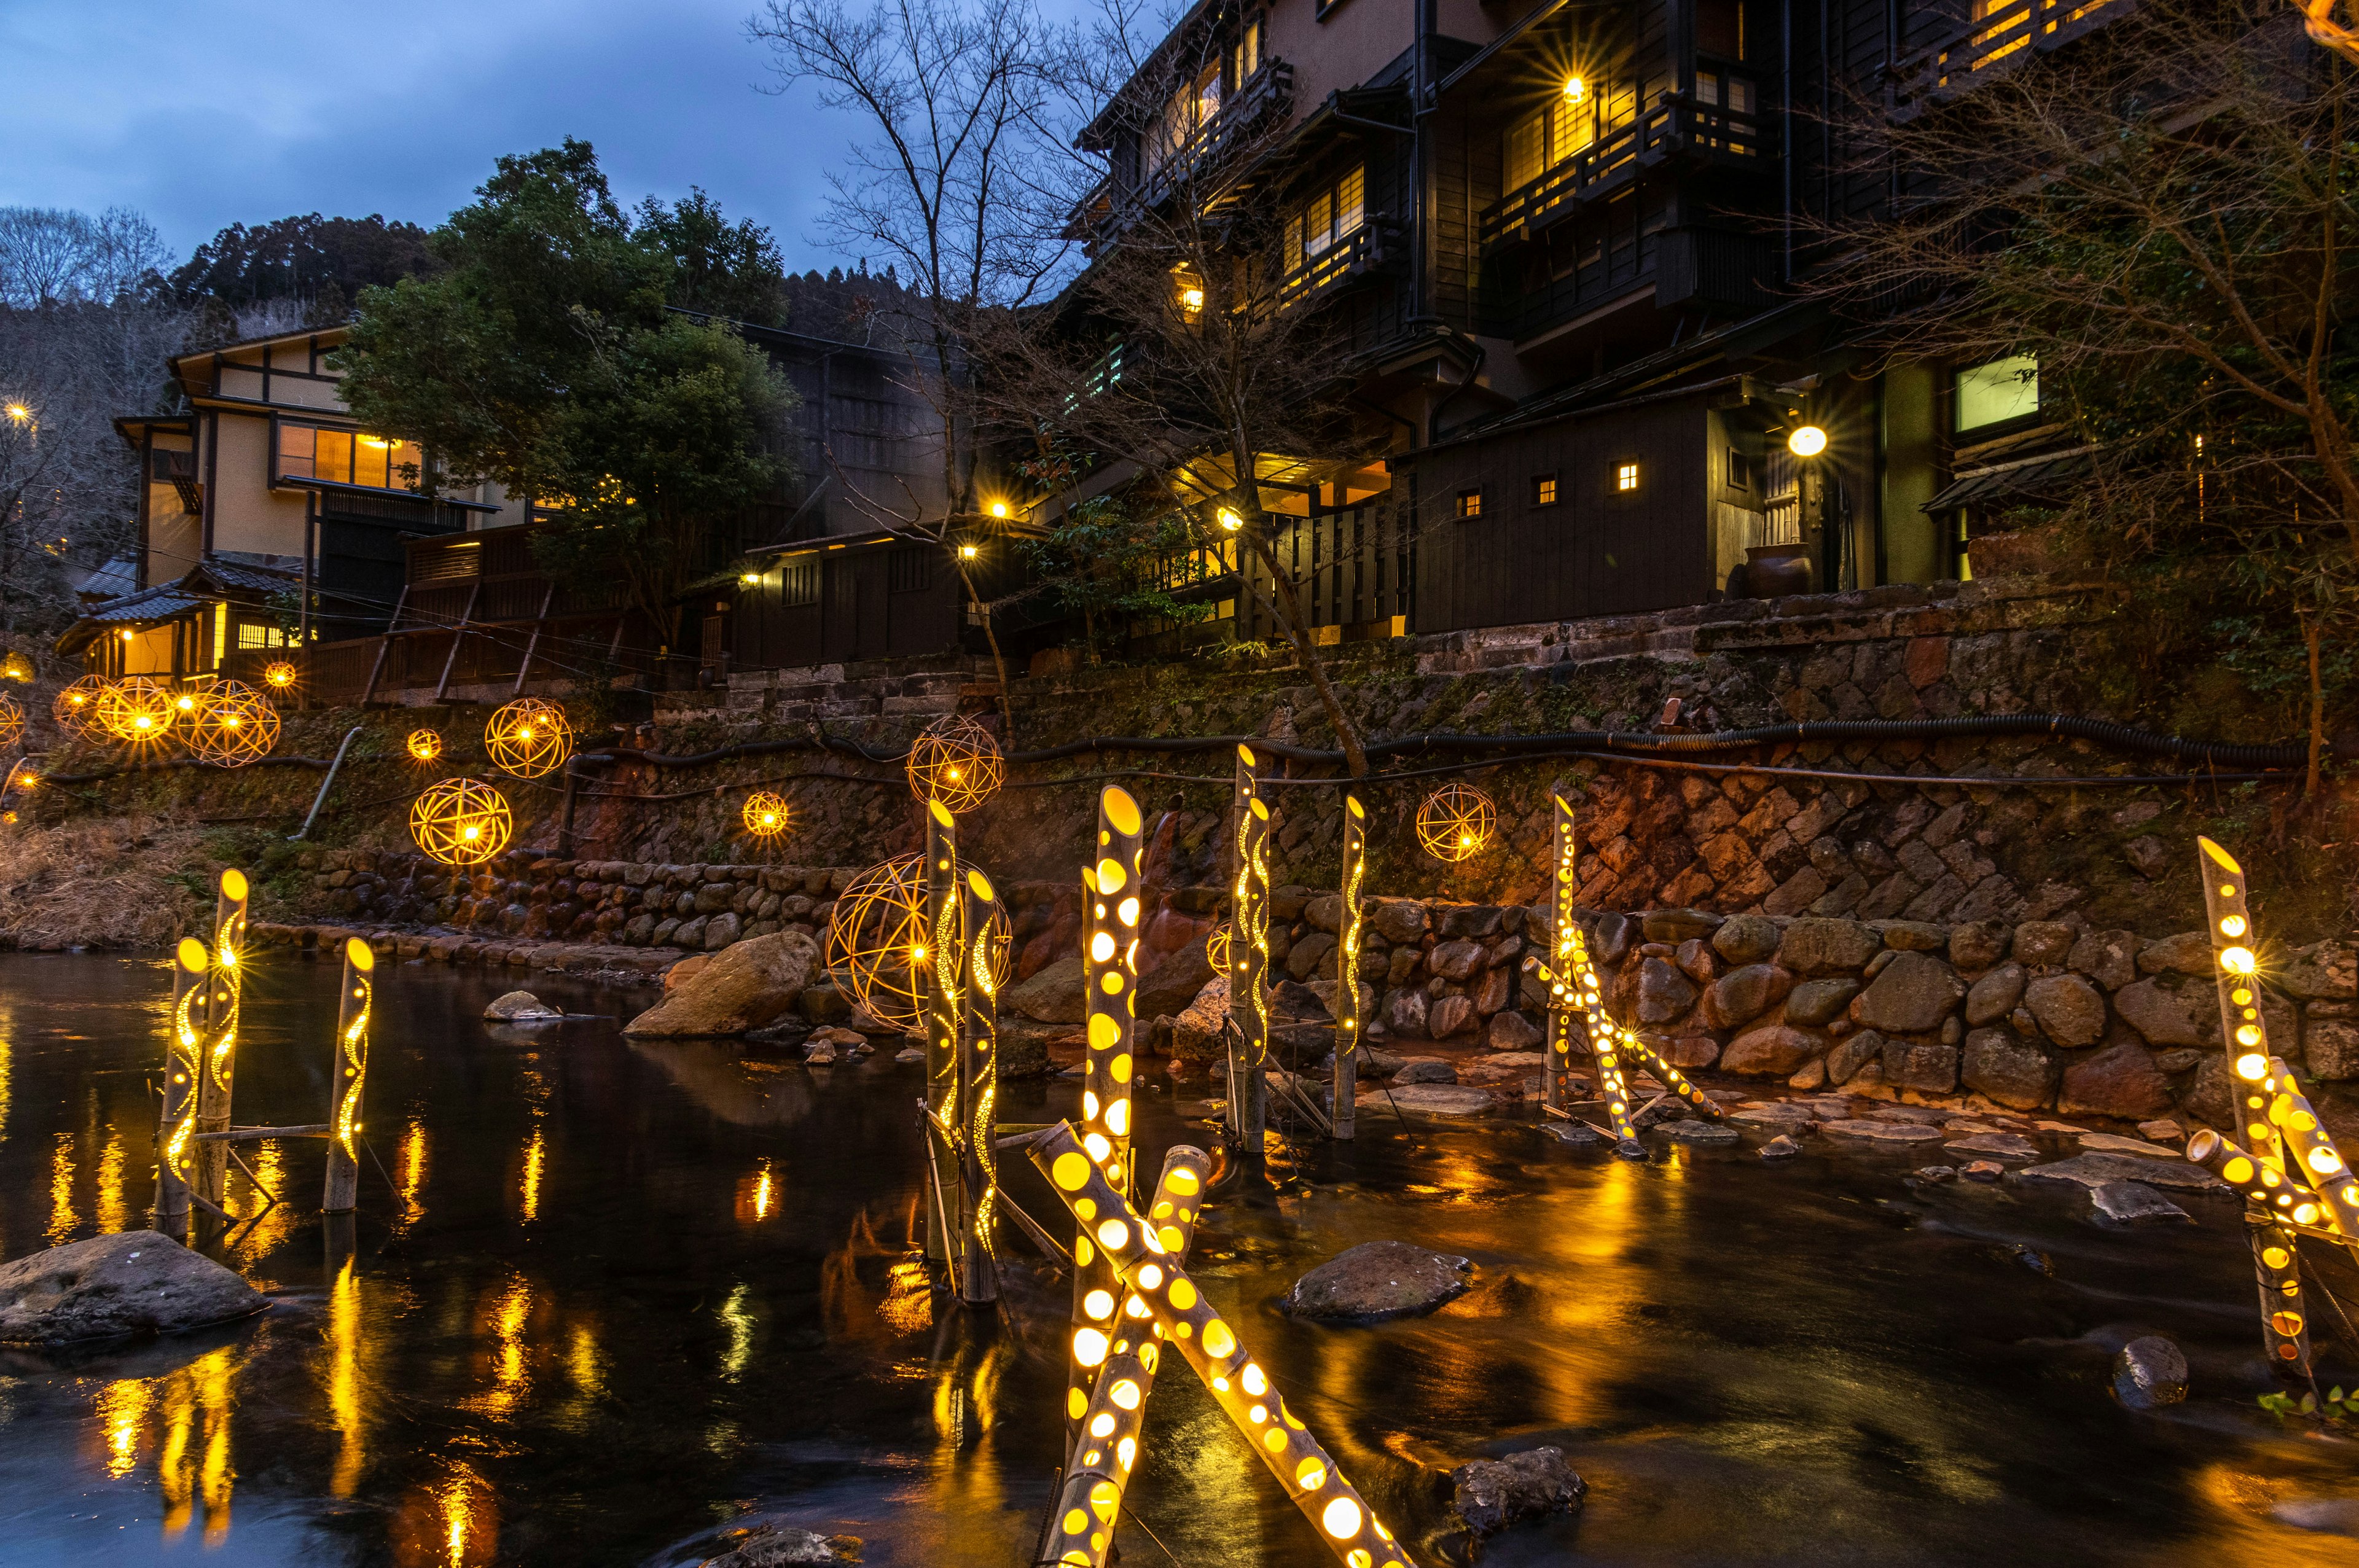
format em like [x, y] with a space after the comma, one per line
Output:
[117, 1286]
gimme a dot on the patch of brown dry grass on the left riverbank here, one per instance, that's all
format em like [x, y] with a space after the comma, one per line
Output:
[98, 883]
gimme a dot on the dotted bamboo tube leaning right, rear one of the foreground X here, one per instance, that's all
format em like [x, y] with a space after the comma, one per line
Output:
[1108, 1437]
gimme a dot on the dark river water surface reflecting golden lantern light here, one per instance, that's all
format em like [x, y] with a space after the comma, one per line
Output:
[610, 1298]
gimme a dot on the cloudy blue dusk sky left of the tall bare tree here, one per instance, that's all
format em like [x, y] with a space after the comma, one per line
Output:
[213, 112]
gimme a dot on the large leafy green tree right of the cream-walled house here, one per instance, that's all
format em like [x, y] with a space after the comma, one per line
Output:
[541, 355]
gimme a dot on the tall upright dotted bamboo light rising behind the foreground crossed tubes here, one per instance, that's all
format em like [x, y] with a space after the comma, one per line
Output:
[1110, 958]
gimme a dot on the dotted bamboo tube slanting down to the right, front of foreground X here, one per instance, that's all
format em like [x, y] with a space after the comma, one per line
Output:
[1145, 1260]
